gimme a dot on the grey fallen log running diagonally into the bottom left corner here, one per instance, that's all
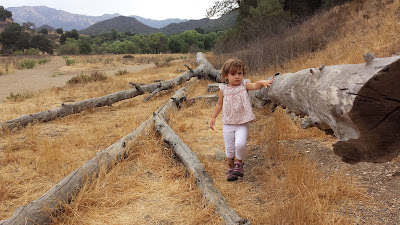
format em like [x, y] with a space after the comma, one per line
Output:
[50, 203]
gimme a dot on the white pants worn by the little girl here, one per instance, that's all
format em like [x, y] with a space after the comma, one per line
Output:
[235, 137]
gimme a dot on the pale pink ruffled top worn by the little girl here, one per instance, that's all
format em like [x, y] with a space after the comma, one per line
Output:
[236, 107]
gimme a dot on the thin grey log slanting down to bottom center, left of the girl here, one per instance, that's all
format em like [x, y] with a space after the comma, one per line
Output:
[195, 167]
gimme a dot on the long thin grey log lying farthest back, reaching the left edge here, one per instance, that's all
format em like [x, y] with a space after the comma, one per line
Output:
[108, 100]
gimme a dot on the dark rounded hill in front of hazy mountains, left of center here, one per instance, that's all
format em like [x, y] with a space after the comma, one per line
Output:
[120, 24]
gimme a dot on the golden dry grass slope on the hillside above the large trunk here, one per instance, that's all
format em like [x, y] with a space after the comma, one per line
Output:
[366, 26]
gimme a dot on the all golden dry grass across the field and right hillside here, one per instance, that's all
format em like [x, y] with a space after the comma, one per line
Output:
[151, 187]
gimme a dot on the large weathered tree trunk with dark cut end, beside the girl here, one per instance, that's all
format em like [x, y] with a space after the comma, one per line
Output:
[360, 103]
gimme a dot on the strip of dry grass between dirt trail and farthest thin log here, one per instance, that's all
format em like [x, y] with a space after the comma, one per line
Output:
[49, 99]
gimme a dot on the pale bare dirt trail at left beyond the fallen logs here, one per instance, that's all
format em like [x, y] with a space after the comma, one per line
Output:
[51, 74]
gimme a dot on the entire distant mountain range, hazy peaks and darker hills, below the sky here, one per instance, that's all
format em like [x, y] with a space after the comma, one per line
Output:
[43, 16]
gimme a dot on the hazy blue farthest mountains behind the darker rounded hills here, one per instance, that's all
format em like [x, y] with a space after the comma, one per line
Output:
[42, 15]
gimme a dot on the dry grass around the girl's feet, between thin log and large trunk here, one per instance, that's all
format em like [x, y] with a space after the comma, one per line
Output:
[286, 188]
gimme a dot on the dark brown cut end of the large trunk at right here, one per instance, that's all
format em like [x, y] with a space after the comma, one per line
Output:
[376, 114]
